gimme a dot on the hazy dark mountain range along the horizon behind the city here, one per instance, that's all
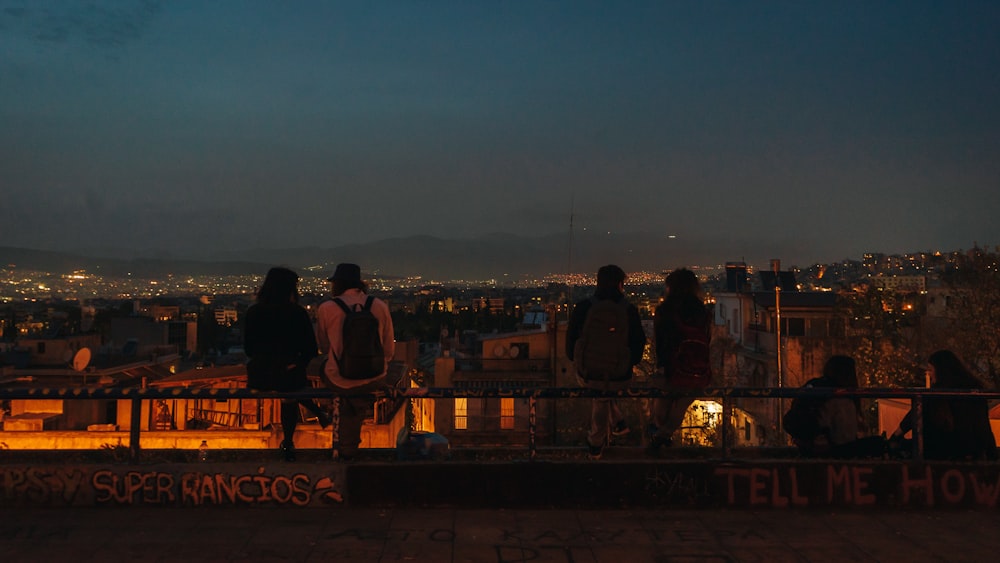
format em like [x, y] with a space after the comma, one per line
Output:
[495, 256]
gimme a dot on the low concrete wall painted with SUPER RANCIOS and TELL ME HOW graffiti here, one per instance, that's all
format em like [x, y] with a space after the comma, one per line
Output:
[674, 484]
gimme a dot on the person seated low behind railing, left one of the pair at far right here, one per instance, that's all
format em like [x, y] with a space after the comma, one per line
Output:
[828, 426]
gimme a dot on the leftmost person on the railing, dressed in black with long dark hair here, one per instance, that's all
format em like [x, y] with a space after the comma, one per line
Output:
[280, 341]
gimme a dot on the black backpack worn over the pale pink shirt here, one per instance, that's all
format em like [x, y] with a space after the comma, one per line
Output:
[363, 356]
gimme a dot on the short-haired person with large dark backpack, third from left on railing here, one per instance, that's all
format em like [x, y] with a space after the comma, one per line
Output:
[604, 340]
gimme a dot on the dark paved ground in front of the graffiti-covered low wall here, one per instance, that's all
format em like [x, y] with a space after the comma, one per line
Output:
[495, 536]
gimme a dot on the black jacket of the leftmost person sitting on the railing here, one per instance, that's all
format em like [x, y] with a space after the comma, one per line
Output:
[278, 335]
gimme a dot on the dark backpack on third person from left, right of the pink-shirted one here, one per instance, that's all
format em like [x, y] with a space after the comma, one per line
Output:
[601, 353]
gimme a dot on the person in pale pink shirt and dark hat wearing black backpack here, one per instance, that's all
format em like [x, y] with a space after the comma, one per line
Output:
[355, 332]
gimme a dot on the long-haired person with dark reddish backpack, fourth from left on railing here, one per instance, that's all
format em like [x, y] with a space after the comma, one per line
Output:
[682, 331]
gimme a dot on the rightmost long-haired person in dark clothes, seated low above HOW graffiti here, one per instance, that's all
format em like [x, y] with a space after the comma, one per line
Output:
[954, 428]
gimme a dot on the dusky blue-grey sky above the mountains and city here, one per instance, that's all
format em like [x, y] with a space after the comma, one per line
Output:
[194, 126]
